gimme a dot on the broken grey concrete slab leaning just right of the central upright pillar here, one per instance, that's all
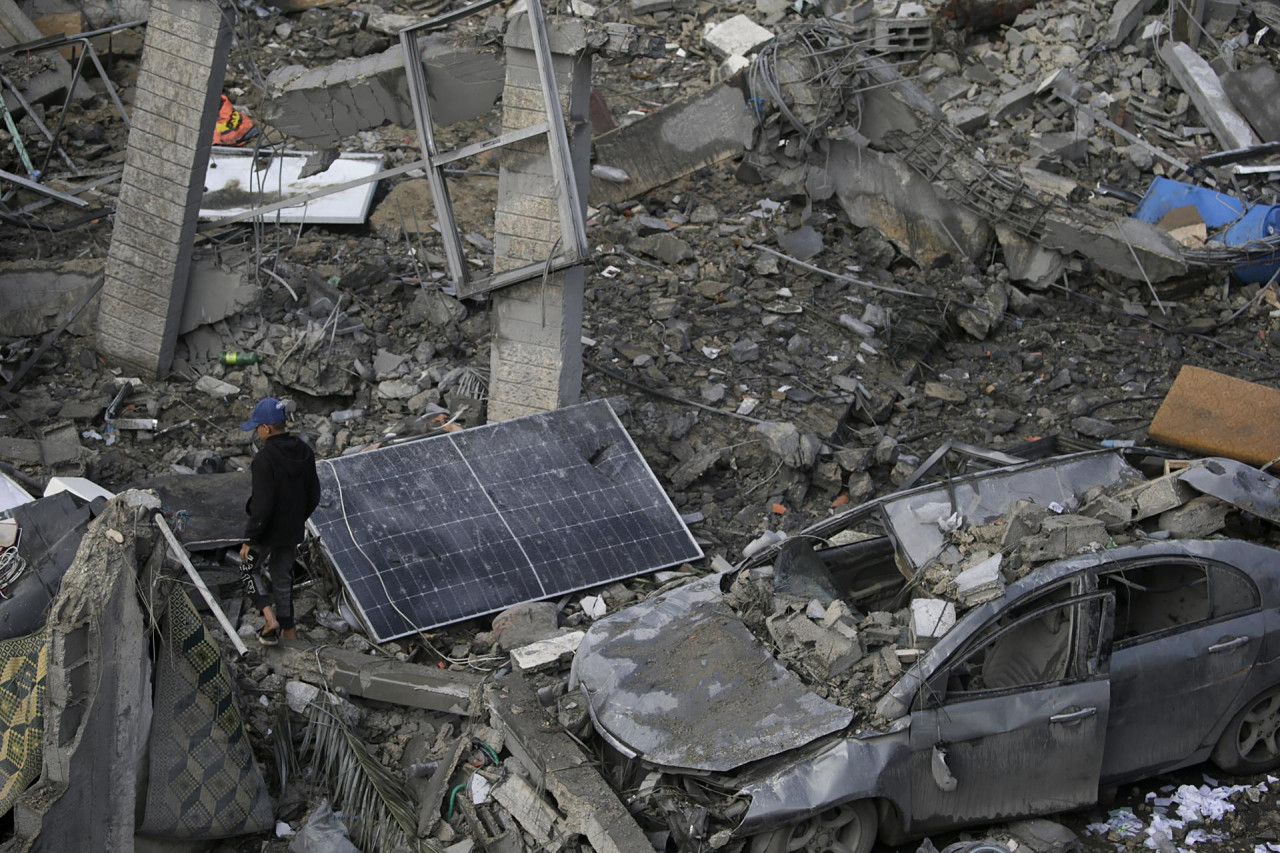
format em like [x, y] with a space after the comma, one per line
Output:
[673, 143]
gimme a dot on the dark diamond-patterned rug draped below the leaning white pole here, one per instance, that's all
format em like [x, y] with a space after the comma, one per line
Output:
[204, 782]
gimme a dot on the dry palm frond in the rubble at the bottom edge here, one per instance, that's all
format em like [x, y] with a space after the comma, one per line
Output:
[383, 816]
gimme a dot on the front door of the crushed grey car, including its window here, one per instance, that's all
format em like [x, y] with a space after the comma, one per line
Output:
[1018, 717]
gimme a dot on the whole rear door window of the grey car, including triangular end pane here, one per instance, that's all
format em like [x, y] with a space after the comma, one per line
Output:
[1156, 600]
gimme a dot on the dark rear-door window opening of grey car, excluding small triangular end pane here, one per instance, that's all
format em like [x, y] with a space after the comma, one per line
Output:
[1156, 600]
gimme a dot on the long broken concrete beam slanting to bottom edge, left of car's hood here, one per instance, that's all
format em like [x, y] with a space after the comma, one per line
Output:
[559, 767]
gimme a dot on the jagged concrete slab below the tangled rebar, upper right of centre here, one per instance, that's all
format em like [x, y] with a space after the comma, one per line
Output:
[881, 191]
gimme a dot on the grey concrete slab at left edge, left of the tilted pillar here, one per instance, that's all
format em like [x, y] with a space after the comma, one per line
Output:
[38, 295]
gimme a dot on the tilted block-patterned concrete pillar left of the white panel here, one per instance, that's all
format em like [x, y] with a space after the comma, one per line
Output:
[184, 63]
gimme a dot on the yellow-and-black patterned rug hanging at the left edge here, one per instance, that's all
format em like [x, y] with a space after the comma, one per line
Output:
[24, 674]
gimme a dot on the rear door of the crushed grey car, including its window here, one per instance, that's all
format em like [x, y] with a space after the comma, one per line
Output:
[1187, 632]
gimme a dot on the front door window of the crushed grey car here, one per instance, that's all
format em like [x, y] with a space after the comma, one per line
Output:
[1055, 642]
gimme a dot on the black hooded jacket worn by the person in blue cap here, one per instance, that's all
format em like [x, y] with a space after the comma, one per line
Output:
[286, 492]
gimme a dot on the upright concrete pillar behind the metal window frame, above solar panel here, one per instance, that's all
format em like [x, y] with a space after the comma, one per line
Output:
[537, 346]
